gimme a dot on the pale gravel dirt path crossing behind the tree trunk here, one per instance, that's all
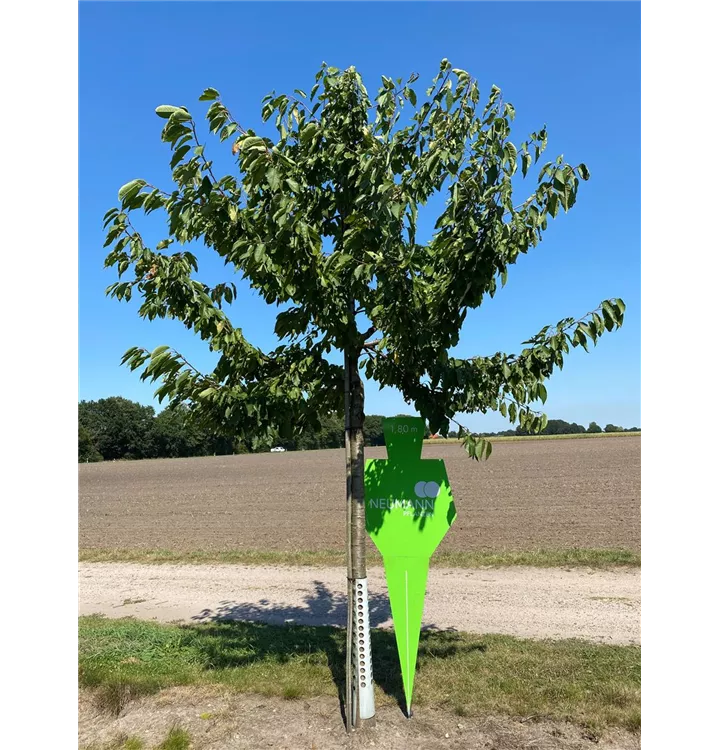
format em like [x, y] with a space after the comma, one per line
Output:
[600, 606]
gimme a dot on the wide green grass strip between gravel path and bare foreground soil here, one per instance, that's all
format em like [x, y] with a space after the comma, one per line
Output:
[593, 685]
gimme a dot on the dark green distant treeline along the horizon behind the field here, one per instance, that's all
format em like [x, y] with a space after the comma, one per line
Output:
[117, 428]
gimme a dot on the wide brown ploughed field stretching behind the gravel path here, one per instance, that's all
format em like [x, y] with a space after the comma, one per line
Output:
[530, 494]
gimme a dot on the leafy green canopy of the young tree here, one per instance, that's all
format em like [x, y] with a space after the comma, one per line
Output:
[322, 219]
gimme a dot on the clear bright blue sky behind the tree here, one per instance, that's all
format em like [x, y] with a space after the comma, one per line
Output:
[574, 66]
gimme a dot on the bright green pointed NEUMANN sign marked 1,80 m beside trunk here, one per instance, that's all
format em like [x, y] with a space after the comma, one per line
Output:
[409, 509]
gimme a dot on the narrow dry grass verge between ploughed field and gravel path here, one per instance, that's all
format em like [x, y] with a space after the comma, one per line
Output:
[540, 558]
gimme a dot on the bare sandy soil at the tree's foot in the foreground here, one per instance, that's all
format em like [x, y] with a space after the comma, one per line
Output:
[220, 721]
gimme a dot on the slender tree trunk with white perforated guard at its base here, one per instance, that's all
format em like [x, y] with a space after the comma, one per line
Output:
[359, 691]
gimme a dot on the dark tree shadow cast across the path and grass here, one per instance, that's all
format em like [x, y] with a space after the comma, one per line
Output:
[238, 634]
